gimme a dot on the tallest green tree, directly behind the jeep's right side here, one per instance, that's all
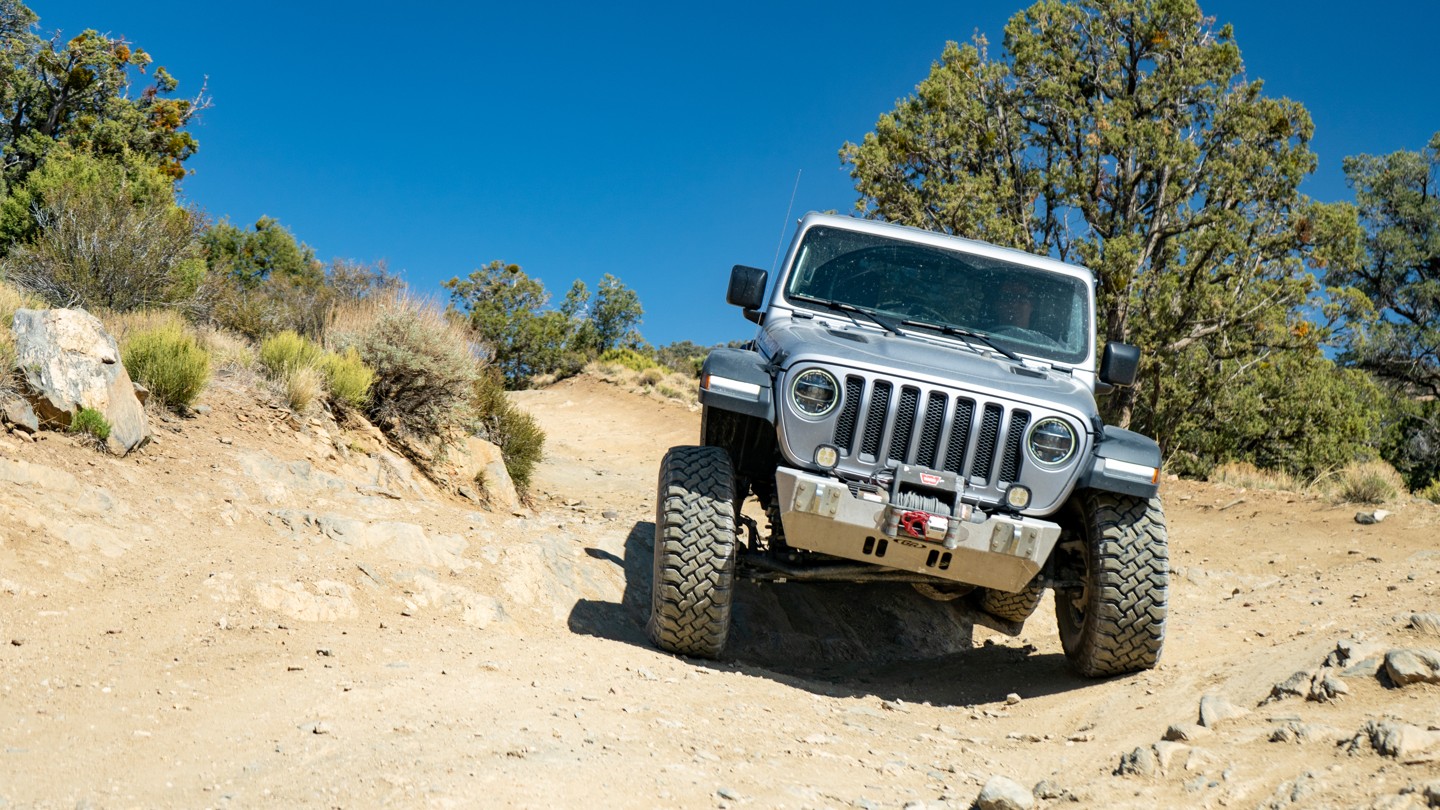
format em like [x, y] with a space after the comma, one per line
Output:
[1160, 165]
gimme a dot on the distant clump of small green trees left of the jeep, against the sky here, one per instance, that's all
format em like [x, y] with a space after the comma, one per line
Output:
[510, 313]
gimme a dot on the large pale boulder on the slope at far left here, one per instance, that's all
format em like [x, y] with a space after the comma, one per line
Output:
[71, 362]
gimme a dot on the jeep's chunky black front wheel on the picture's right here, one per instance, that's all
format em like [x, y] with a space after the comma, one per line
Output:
[1117, 623]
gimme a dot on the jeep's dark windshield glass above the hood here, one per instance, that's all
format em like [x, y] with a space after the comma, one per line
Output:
[1027, 311]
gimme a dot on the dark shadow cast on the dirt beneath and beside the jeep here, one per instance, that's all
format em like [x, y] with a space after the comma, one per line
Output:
[840, 639]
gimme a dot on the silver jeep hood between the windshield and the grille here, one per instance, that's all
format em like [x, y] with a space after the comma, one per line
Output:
[944, 361]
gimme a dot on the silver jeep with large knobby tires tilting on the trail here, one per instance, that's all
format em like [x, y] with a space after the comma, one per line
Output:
[918, 409]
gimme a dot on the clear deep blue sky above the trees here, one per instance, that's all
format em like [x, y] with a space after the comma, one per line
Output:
[654, 142]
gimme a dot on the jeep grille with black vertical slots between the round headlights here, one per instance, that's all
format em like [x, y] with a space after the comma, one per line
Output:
[932, 429]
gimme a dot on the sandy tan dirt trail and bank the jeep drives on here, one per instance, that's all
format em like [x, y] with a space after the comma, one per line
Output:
[231, 620]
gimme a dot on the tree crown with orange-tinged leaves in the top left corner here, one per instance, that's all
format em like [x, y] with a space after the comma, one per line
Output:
[81, 93]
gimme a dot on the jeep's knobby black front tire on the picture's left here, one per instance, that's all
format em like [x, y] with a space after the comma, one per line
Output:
[695, 553]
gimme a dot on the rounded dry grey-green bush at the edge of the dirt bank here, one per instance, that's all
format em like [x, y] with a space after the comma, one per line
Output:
[424, 370]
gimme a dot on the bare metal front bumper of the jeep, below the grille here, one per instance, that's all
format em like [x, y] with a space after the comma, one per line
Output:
[1003, 553]
